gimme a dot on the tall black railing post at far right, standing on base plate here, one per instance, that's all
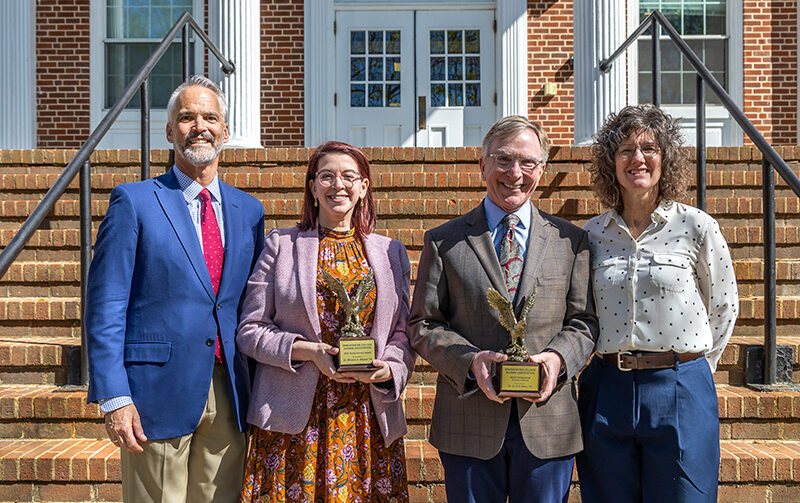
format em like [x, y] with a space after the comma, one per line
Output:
[770, 322]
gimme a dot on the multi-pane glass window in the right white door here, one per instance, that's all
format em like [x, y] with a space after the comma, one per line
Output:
[455, 68]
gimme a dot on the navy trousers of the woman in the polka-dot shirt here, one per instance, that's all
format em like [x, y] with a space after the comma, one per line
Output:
[648, 435]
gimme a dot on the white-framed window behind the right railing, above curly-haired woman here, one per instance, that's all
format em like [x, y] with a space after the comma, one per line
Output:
[703, 25]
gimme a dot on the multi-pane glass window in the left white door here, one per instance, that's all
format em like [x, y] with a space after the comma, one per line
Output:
[375, 68]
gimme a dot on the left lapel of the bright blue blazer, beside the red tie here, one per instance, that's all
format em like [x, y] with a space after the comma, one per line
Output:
[173, 204]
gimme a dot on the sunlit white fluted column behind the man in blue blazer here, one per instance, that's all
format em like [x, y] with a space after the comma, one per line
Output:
[234, 26]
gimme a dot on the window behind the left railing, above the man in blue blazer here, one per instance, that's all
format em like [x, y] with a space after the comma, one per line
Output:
[134, 29]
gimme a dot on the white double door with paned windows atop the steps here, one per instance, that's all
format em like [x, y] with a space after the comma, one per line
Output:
[414, 78]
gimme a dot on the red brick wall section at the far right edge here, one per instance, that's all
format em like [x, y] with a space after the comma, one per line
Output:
[770, 68]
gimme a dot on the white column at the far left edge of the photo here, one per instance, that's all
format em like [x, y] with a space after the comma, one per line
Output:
[18, 60]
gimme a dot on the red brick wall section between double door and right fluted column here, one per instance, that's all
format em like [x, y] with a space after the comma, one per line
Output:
[549, 51]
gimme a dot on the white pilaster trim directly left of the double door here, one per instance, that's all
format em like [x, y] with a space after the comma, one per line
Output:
[318, 81]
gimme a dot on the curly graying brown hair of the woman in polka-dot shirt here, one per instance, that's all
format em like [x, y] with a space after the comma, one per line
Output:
[617, 128]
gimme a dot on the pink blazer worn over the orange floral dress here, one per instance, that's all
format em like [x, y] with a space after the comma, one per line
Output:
[280, 306]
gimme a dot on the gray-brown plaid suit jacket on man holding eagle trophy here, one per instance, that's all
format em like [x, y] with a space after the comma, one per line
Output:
[451, 321]
